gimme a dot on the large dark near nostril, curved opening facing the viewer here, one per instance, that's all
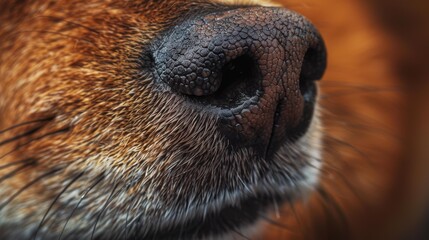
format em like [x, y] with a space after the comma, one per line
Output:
[240, 80]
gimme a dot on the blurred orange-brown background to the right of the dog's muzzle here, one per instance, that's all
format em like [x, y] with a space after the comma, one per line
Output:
[375, 105]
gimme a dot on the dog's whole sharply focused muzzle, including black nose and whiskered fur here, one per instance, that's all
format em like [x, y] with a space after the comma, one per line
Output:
[154, 119]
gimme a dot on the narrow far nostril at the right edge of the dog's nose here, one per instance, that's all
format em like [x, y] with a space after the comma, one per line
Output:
[312, 69]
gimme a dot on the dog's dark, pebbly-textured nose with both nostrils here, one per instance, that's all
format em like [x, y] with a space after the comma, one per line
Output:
[255, 67]
